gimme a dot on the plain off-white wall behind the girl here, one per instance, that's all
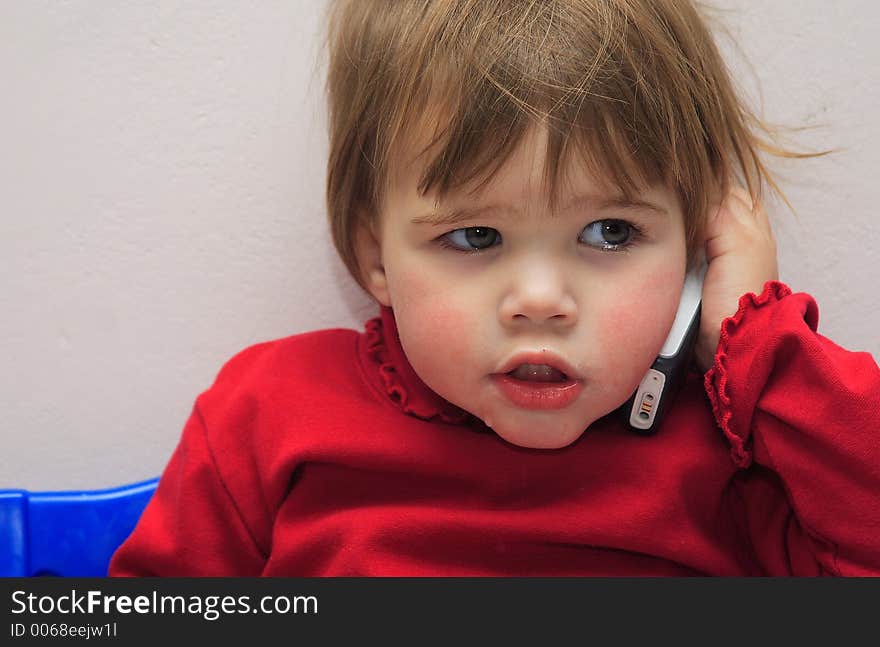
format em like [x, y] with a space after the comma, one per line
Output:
[161, 187]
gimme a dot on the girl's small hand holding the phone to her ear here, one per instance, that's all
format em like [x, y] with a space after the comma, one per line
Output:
[741, 258]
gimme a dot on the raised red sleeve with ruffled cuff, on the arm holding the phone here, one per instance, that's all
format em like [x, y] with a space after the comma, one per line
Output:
[801, 414]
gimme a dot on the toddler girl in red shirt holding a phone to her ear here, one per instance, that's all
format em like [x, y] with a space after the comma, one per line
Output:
[522, 187]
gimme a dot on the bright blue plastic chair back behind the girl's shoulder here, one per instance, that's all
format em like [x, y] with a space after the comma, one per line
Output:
[67, 534]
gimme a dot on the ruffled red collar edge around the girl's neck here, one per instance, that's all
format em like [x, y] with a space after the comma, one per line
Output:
[398, 379]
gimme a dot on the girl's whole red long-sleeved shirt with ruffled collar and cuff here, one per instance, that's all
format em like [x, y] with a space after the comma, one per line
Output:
[324, 454]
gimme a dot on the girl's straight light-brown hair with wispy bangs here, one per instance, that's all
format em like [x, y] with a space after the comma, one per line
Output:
[636, 88]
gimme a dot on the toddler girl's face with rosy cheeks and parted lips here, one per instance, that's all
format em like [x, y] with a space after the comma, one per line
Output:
[594, 285]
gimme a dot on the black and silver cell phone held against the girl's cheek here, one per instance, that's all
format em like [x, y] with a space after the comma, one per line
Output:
[643, 413]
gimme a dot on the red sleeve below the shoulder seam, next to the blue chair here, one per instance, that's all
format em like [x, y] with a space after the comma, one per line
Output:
[192, 526]
